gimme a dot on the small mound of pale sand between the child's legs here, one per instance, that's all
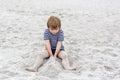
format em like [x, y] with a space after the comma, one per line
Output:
[51, 68]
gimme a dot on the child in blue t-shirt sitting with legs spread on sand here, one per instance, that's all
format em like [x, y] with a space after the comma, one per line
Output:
[53, 37]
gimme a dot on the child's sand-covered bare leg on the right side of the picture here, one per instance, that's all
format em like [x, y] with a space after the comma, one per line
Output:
[63, 55]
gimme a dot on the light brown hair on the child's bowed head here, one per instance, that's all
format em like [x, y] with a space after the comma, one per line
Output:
[54, 22]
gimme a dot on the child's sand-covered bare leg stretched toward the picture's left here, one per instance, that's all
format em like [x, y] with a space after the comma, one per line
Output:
[38, 61]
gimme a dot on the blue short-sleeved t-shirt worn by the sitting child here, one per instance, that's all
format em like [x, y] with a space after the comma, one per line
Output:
[54, 38]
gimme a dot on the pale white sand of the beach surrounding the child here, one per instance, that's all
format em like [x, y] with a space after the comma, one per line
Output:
[92, 38]
